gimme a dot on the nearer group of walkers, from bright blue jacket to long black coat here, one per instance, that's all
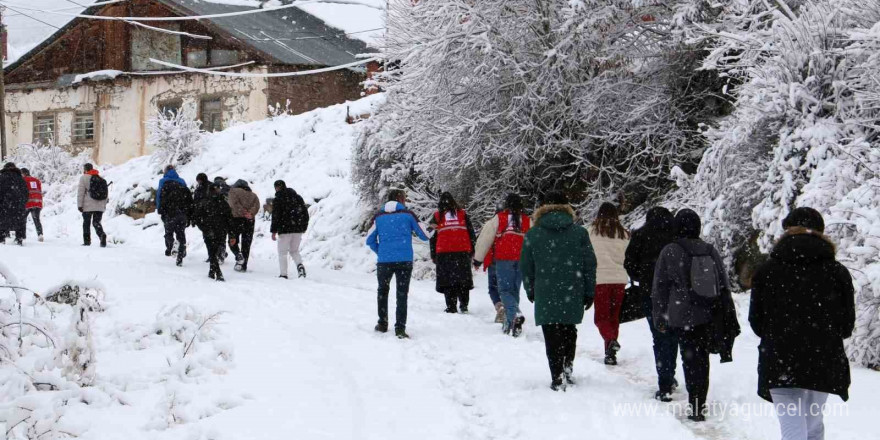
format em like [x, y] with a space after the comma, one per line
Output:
[802, 299]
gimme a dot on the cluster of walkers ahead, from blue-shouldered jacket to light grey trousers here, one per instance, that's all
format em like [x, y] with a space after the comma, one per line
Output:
[227, 214]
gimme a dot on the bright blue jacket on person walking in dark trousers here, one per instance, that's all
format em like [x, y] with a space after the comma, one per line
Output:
[391, 237]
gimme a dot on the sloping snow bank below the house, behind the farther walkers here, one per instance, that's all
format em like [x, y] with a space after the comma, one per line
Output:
[311, 152]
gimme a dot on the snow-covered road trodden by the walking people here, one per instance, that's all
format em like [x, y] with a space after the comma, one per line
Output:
[307, 364]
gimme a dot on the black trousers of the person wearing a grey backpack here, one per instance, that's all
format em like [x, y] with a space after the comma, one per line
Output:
[695, 344]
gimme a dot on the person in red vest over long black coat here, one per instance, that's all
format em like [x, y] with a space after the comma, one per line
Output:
[452, 248]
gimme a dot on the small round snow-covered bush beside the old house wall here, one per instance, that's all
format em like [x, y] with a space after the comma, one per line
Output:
[176, 136]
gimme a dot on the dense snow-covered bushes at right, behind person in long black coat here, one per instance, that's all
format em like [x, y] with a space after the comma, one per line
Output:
[804, 133]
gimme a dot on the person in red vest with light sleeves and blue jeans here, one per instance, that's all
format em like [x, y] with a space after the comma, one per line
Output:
[503, 235]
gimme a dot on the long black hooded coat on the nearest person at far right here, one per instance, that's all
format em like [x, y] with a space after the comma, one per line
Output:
[803, 307]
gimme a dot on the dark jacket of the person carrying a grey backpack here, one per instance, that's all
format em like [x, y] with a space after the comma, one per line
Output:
[671, 297]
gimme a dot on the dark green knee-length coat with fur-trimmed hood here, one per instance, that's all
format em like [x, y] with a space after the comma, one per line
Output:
[558, 266]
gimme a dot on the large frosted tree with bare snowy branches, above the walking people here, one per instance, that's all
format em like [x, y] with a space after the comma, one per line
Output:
[484, 98]
